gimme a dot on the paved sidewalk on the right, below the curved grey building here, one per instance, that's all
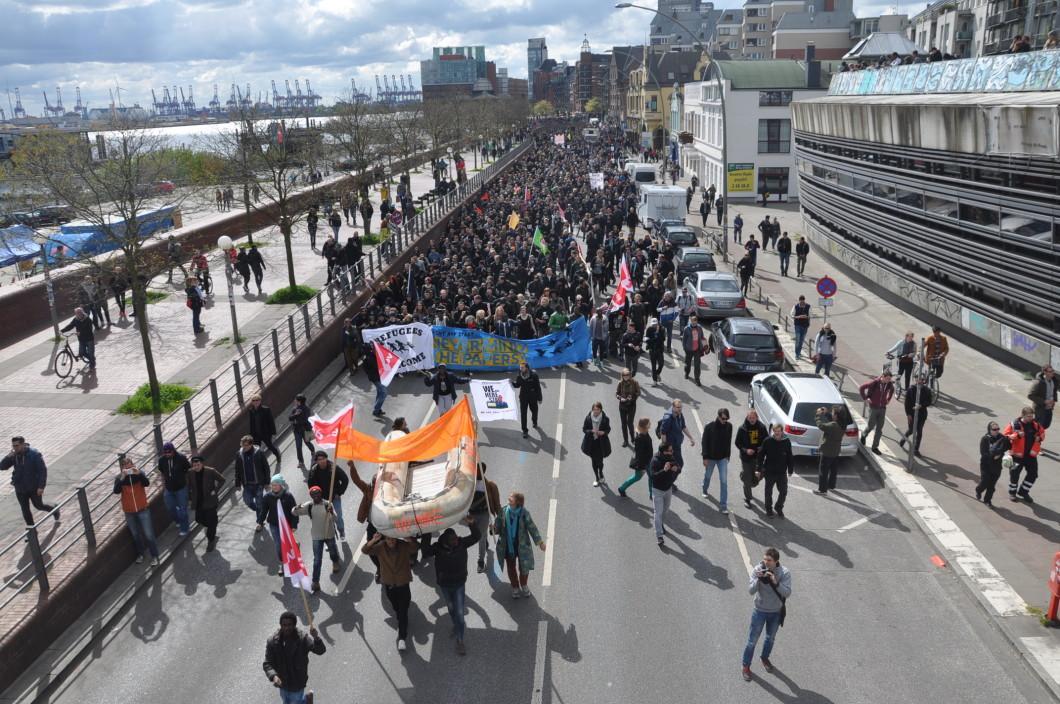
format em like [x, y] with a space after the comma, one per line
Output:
[1019, 540]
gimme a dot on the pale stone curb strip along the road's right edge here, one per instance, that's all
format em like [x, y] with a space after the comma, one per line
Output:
[999, 602]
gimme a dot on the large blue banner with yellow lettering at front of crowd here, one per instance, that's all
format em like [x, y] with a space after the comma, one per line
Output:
[478, 351]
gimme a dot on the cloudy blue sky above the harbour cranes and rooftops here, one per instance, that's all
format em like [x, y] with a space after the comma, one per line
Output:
[139, 45]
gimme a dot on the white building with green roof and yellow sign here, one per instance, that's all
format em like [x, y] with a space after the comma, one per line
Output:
[758, 99]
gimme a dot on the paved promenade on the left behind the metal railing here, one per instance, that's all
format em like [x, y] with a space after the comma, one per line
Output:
[73, 423]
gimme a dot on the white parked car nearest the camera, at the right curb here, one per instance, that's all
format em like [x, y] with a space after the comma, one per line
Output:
[792, 399]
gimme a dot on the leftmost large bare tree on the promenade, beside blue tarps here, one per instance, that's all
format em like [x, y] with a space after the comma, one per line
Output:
[115, 192]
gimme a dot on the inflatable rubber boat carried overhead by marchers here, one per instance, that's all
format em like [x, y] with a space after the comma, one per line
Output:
[415, 499]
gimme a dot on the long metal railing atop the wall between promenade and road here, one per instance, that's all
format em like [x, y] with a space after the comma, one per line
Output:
[29, 559]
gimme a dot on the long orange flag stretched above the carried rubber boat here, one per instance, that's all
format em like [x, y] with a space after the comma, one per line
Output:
[427, 444]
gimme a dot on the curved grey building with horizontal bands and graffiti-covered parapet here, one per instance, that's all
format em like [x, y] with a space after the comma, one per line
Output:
[941, 184]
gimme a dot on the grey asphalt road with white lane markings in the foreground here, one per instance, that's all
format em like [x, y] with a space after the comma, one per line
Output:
[613, 618]
